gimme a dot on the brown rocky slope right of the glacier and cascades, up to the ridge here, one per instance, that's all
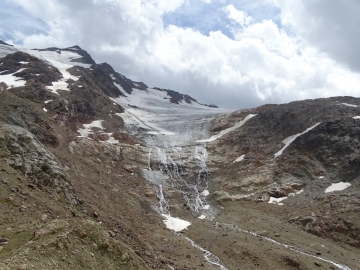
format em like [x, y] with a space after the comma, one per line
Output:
[324, 155]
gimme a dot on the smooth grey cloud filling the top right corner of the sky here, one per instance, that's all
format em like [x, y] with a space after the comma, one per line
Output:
[330, 26]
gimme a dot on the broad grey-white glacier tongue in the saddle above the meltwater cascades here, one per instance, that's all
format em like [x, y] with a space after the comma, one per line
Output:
[176, 124]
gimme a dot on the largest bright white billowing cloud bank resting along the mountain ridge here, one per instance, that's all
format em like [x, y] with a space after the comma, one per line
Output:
[260, 63]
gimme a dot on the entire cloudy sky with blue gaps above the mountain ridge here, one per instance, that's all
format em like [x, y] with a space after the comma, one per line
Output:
[232, 53]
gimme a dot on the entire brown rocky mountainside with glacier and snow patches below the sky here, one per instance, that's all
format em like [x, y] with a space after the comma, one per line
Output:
[101, 172]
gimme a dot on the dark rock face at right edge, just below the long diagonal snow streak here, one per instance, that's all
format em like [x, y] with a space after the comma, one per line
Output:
[333, 150]
